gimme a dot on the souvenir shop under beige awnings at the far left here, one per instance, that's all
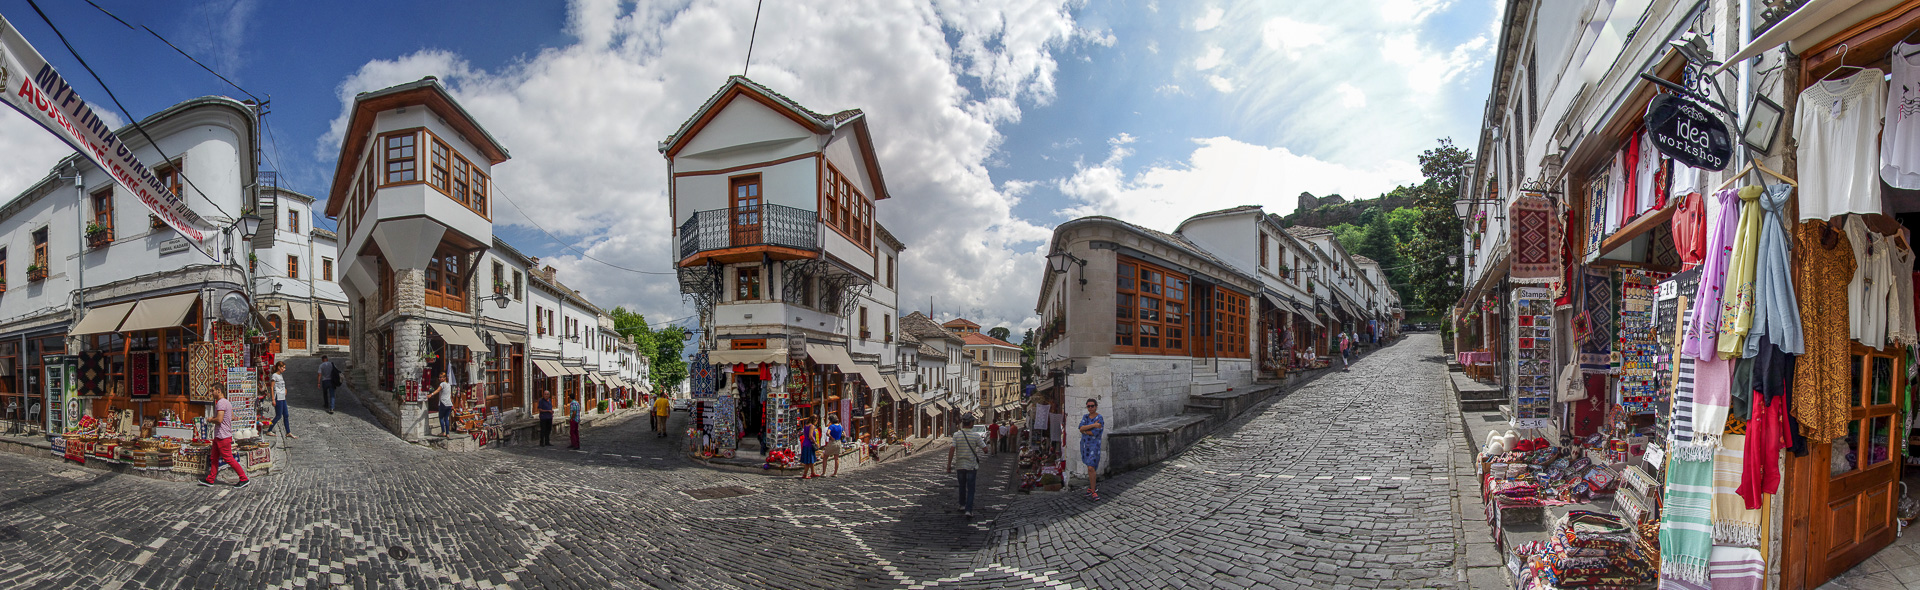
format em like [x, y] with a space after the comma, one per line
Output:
[141, 383]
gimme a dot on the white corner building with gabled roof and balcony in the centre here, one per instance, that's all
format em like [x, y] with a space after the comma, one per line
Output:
[780, 253]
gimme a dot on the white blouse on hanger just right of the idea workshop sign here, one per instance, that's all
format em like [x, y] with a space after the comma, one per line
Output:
[1838, 126]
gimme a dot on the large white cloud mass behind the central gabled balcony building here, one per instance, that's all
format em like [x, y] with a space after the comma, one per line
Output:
[583, 122]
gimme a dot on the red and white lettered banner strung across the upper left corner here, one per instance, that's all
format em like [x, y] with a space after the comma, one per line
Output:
[37, 91]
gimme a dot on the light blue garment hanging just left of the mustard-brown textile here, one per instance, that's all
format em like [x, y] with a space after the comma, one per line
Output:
[1775, 308]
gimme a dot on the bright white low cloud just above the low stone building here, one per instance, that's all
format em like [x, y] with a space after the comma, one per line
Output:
[1220, 174]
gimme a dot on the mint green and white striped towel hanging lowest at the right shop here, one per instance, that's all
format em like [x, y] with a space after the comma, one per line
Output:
[1687, 526]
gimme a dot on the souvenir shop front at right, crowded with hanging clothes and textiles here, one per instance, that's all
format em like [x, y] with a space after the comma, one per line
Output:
[1712, 368]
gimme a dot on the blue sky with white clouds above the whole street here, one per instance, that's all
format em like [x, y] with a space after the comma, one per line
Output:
[994, 120]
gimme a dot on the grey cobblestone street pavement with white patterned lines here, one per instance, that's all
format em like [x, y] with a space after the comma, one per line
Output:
[1337, 485]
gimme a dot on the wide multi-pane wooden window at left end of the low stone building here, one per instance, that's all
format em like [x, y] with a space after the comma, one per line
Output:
[1172, 328]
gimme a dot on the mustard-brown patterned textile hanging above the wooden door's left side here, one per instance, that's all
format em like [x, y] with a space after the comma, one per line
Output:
[1823, 376]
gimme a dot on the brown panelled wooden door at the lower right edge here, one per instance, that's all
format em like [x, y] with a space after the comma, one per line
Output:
[1854, 481]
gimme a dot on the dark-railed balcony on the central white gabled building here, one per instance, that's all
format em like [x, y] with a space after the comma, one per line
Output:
[750, 234]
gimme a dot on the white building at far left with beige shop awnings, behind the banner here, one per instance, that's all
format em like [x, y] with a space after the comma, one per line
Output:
[132, 297]
